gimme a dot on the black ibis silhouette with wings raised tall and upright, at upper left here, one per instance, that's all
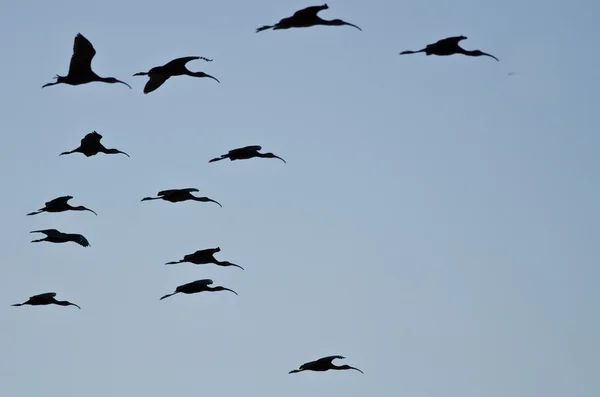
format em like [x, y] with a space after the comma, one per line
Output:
[80, 68]
